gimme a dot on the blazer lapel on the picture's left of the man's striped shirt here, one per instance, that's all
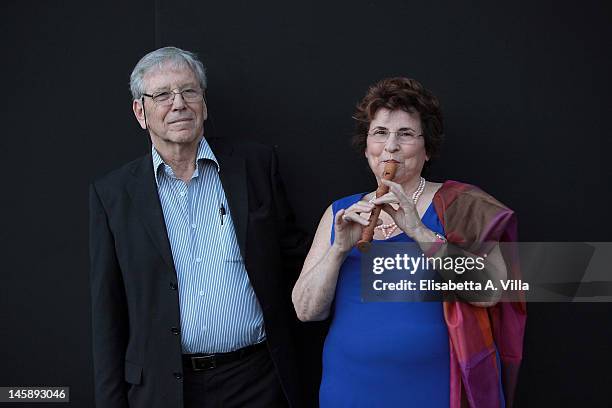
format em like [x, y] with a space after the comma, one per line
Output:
[143, 192]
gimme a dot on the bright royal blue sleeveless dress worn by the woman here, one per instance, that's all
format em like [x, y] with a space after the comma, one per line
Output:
[383, 354]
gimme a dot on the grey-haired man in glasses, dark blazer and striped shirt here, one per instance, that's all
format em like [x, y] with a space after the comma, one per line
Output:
[191, 247]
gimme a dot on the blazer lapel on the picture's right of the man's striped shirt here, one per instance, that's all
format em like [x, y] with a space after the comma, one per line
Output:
[234, 181]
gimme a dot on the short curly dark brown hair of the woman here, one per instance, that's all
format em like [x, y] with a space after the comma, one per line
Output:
[405, 94]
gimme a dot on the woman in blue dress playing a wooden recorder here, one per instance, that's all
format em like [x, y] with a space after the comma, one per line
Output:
[423, 354]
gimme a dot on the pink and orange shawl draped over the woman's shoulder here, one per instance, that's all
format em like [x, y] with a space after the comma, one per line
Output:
[471, 217]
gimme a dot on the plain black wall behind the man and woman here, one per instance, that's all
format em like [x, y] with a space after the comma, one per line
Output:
[524, 86]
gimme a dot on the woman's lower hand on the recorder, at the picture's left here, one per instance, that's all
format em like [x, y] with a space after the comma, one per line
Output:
[348, 225]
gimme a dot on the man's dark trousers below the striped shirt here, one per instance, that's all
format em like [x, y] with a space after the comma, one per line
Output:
[248, 382]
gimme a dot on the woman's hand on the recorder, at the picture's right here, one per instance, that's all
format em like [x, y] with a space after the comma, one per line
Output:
[406, 216]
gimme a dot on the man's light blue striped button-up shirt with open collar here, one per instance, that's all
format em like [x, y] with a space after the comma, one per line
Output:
[219, 310]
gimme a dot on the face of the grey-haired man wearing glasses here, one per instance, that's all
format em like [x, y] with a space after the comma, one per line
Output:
[178, 123]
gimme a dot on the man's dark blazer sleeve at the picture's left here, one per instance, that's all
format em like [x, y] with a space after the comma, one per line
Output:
[109, 310]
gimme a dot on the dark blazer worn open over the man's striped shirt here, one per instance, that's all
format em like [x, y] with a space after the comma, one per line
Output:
[135, 302]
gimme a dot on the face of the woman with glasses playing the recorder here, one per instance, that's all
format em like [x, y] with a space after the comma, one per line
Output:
[408, 152]
